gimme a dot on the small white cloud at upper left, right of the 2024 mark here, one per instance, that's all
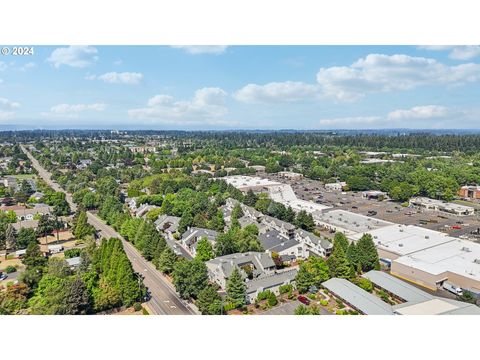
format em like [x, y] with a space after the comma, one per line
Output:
[74, 56]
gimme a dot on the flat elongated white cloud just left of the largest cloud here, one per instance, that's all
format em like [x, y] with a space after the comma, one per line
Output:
[288, 91]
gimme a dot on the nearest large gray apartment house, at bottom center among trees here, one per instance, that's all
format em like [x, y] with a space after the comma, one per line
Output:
[250, 265]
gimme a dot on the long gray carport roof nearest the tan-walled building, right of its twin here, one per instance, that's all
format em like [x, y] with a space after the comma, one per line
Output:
[396, 286]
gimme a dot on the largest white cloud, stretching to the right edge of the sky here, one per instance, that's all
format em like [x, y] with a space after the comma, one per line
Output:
[383, 73]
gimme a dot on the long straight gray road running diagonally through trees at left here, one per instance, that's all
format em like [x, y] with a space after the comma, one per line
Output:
[164, 300]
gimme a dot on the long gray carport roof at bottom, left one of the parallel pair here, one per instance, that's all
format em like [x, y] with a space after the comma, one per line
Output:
[358, 298]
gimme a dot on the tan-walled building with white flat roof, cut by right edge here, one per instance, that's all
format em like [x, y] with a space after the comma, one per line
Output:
[456, 261]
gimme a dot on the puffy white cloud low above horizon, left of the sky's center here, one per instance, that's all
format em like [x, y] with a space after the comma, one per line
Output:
[207, 106]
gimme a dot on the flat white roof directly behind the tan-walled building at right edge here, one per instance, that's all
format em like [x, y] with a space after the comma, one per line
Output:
[405, 239]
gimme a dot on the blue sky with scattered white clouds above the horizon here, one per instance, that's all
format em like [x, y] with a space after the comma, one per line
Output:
[241, 87]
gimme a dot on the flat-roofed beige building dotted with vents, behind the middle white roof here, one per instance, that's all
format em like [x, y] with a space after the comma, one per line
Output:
[348, 222]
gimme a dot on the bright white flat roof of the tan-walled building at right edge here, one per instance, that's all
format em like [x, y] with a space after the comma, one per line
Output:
[456, 256]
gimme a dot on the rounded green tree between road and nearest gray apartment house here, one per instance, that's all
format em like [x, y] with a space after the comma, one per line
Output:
[189, 278]
